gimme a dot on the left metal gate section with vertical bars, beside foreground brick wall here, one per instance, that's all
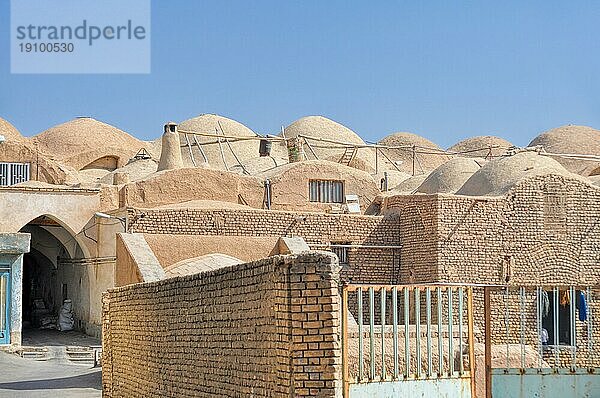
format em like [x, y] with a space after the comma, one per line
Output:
[407, 340]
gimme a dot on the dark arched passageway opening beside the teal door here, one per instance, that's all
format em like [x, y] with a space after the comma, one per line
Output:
[51, 276]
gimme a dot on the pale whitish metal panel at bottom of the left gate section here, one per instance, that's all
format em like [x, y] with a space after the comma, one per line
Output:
[421, 388]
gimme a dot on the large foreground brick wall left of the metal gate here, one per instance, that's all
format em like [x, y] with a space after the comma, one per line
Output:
[269, 328]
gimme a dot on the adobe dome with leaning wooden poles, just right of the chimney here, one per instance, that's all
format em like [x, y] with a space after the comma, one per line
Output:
[216, 124]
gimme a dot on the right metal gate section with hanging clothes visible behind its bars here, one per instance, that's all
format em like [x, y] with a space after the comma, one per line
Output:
[541, 342]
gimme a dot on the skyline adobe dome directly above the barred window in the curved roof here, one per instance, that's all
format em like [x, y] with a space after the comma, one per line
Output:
[322, 127]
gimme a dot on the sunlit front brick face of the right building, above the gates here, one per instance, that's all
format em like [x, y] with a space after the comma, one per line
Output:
[543, 233]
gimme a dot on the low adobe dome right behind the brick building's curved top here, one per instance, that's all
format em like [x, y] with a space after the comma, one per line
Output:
[498, 176]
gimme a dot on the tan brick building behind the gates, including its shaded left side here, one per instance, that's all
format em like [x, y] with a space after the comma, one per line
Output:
[544, 232]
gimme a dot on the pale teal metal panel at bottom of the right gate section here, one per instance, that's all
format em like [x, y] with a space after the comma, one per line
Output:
[545, 383]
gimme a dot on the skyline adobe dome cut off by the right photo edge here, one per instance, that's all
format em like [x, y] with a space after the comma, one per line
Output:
[572, 139]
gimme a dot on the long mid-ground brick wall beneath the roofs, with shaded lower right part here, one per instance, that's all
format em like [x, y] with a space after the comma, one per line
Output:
[366, 264]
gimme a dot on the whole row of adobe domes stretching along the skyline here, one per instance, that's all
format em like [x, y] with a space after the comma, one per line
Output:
[417, 164]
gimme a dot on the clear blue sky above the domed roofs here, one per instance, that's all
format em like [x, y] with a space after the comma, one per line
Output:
[445, 71]
